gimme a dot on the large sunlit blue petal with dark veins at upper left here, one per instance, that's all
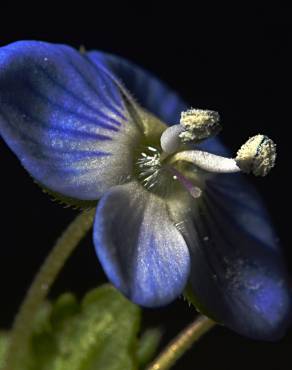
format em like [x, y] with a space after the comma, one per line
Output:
[65, 119]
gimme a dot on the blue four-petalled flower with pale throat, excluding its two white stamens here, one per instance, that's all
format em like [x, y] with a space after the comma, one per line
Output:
[76, 129]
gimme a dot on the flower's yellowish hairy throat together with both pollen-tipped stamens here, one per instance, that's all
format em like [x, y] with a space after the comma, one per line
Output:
[171, 164]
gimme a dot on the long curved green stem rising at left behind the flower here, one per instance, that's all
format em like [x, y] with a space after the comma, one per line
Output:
[22, 327]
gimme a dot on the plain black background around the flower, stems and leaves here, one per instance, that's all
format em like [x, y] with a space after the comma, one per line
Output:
[235, 60]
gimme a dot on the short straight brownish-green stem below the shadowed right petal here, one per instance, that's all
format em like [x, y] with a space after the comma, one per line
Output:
[179, 345]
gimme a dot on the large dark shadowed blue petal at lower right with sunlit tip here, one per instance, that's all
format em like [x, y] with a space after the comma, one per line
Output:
[238, 273]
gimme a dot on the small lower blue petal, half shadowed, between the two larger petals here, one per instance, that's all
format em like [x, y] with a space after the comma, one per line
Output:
[140, 249]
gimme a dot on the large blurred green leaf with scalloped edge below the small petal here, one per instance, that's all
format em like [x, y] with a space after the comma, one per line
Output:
[98, 333]
